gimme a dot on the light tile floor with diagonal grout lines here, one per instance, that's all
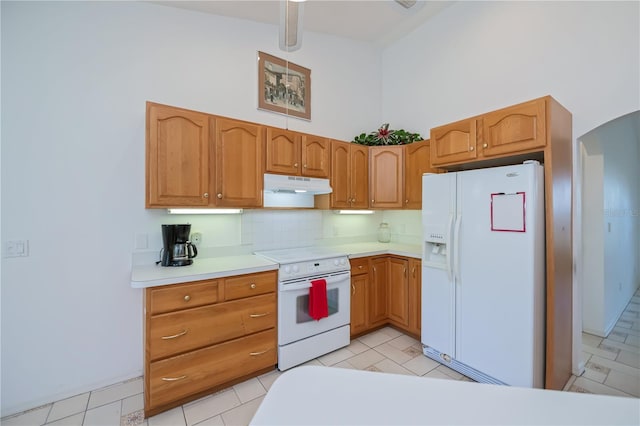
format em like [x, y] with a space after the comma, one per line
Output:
[612, 368]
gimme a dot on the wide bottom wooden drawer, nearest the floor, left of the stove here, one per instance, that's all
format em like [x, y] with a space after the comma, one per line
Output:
[178, 377]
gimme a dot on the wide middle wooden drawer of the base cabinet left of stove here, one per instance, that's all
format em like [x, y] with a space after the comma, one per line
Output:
[182, 331]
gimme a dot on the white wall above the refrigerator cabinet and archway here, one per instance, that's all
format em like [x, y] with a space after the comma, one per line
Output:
[475, 57]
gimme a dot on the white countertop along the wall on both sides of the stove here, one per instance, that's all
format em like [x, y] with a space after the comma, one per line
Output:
[143, 276]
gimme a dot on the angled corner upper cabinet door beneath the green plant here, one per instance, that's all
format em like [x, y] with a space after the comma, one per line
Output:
[386, 178]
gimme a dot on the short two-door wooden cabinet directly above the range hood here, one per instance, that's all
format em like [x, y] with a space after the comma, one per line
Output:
[292, 153]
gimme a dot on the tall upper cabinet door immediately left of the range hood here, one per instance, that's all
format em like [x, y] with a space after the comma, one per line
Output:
[238, 160]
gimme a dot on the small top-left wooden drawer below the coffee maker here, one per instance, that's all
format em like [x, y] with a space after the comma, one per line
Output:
[182, 296]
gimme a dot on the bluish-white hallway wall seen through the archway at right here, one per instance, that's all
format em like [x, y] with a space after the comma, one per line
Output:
[611, 237]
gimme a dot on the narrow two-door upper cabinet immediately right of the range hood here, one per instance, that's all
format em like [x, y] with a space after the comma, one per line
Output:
[349, 176]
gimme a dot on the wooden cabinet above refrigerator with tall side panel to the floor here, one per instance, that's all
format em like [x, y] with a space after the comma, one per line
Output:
[539, 129]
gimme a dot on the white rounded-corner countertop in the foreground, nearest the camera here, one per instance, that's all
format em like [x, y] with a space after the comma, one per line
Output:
[313, 395]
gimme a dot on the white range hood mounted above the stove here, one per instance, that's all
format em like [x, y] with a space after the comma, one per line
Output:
[293, 191]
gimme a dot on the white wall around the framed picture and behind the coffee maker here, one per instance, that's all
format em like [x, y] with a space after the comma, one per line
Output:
[75, 78]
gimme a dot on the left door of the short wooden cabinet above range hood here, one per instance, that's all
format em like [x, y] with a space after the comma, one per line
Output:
[282, 151]
